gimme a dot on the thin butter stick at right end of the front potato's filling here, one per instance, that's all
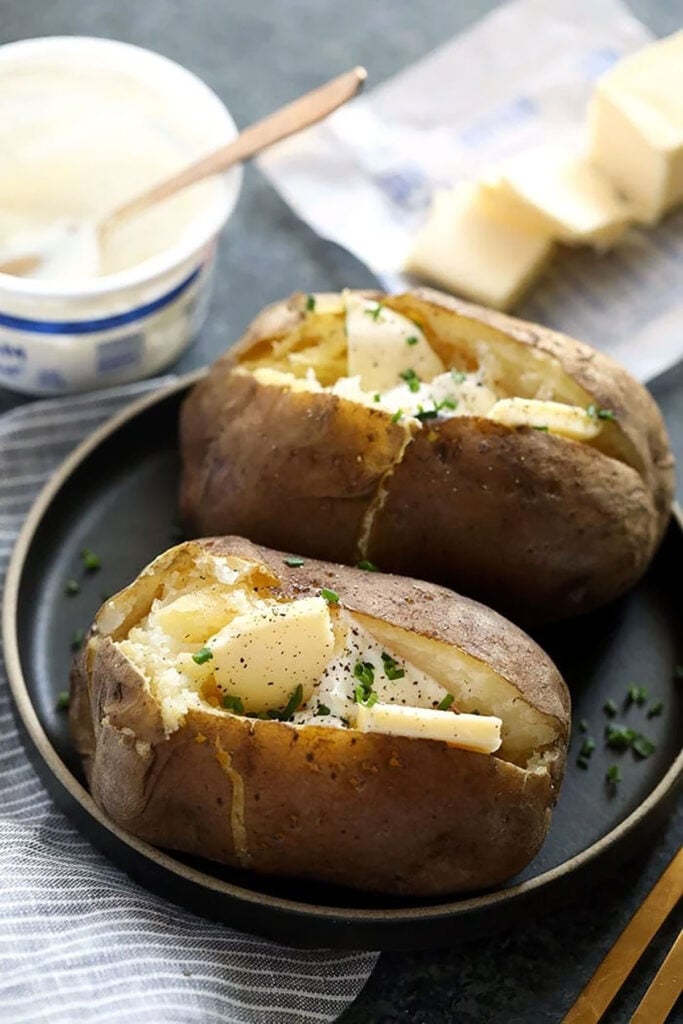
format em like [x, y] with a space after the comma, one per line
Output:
[473, 733]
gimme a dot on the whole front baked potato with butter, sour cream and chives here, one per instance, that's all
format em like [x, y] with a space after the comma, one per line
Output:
[300, 718]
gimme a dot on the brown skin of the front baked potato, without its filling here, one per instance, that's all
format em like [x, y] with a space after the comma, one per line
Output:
[375, 813]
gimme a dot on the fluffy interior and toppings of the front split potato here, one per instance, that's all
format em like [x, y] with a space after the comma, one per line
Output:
[217, 636]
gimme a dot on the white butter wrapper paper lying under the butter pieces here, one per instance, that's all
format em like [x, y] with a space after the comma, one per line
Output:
[519, 79]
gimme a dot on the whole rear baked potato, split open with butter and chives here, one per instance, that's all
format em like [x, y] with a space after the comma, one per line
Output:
[437, 440]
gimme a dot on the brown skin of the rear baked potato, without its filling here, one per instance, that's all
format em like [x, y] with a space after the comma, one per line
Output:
[536, 526]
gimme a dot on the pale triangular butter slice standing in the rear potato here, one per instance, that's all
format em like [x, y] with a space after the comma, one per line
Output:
[383, 345]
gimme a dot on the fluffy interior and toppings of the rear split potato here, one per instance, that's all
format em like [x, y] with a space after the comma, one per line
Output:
[422, 364]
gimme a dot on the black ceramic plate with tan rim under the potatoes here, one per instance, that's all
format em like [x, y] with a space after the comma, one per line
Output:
[117, 495]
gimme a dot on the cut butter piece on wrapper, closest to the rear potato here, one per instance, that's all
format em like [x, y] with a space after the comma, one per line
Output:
[466, 250]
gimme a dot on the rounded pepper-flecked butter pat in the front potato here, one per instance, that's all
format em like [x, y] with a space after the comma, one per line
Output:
[263, 656]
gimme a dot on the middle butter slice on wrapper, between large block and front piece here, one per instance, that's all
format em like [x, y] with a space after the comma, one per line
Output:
[561, 195]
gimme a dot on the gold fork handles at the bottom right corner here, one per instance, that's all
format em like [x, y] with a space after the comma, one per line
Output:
[620, 962]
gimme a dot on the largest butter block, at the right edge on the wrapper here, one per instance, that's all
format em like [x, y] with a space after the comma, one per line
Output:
[636, 123]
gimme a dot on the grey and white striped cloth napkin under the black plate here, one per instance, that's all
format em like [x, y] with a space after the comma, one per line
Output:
[79, 942]
